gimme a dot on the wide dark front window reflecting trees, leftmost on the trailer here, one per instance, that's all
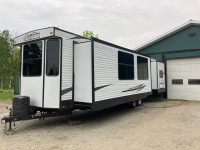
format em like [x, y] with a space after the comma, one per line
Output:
[32, 59]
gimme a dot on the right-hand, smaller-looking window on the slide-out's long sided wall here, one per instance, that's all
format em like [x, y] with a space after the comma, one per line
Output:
[142, 67]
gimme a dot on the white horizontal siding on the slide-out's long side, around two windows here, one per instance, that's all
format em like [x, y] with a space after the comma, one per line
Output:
[106, 73]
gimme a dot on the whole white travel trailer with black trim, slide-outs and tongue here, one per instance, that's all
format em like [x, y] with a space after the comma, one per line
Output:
[62, 71]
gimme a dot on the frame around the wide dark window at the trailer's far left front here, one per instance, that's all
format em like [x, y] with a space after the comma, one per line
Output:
[22, 60]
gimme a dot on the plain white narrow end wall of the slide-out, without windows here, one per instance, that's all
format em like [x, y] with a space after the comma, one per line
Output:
[83, 73]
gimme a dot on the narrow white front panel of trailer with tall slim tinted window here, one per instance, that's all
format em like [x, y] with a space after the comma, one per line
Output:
[52, 74]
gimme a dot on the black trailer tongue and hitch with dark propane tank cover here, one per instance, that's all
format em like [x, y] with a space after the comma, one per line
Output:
[21, 110]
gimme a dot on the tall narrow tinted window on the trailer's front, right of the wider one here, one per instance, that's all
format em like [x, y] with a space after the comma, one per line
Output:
[52, 57]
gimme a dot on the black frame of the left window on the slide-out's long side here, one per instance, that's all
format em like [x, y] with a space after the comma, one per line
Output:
[133, 66]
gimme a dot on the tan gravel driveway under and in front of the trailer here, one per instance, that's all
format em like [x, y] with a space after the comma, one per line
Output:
[155, 126]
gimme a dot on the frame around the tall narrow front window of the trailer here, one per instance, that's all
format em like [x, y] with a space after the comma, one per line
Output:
[59, 57]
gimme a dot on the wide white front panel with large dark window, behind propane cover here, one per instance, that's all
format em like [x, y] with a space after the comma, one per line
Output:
[32, 72]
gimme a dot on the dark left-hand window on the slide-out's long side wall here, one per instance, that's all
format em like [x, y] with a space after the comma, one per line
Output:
[125, 66]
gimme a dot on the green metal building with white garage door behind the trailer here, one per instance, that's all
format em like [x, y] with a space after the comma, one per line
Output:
[180, 50]
